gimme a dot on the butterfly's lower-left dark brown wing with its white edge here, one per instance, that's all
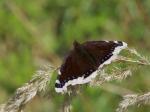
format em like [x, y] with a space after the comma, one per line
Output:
[73, 71]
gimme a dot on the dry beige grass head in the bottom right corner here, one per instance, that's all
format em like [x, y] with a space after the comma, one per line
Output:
[133, 99]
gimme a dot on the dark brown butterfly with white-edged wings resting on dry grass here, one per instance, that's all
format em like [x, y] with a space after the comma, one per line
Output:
[81, 64]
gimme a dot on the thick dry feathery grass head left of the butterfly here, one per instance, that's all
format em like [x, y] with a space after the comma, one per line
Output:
[28, 91]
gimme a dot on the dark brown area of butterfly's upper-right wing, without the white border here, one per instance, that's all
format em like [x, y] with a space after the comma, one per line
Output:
[100, 50]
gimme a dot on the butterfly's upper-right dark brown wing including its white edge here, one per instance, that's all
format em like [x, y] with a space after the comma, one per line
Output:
[104, 50]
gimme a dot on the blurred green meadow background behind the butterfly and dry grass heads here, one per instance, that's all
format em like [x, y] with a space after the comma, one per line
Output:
[35, 32]
